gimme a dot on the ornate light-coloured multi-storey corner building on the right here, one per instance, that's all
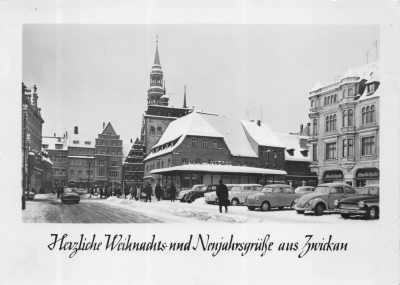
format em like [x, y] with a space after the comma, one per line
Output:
[344, 118]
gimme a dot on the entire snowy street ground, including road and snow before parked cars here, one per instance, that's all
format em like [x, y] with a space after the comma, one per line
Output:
[49, 209]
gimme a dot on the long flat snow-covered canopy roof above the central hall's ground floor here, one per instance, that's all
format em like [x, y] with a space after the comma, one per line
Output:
[208, 168]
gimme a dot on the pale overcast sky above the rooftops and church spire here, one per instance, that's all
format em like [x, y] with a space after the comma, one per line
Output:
[90, 74]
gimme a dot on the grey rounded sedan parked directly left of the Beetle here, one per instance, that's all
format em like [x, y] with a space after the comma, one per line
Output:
[271, 196]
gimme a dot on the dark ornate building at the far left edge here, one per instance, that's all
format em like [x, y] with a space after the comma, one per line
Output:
[36, 166]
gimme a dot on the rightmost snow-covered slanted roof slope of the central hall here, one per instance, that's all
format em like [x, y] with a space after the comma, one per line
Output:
[262, 135]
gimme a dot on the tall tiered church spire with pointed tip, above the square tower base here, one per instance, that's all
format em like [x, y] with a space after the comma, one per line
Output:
[156, 93]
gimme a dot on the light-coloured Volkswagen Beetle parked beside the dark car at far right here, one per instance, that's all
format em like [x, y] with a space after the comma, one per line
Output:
[323, 197]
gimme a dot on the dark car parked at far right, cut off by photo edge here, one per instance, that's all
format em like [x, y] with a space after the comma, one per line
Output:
[365, 203]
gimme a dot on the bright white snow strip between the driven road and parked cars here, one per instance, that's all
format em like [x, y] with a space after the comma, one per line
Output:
[199, 210]
